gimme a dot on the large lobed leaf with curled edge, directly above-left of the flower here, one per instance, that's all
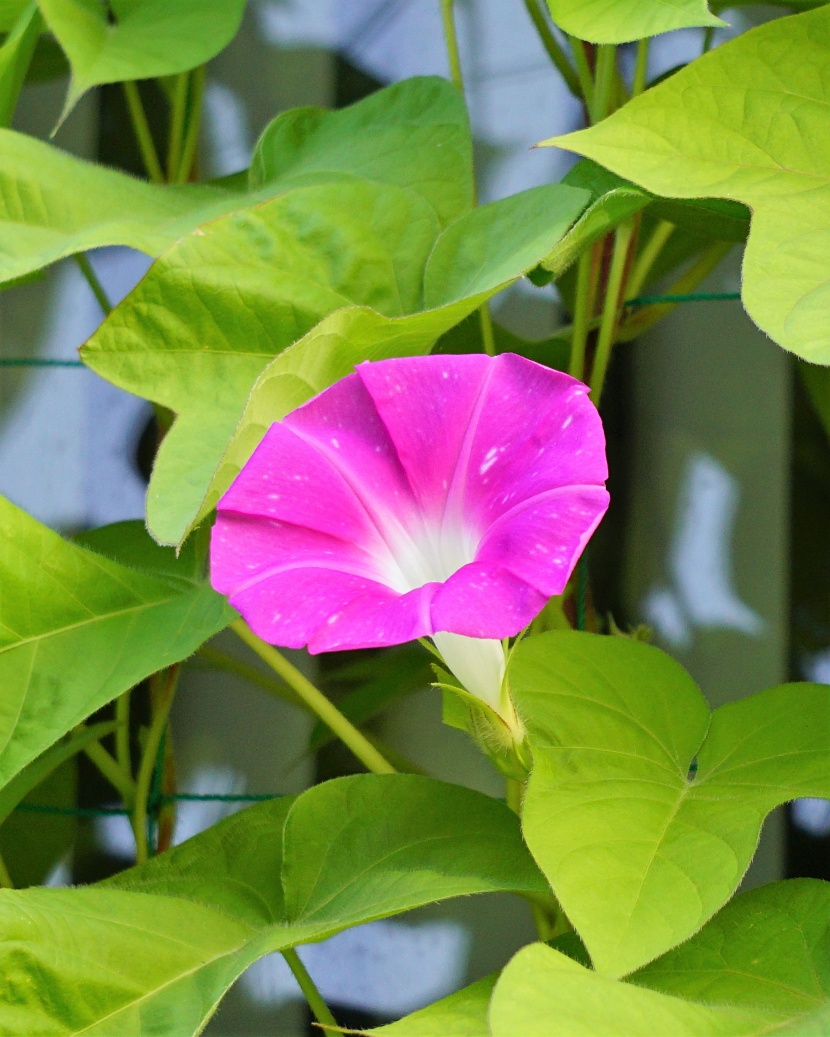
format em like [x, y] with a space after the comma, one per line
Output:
[215, 310]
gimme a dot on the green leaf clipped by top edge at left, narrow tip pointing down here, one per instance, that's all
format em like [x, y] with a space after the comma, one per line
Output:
[148, 39]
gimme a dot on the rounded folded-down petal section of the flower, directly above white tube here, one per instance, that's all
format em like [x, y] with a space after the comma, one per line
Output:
[486, 602]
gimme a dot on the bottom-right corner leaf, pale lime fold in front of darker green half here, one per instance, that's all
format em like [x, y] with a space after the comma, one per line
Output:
[762, 966]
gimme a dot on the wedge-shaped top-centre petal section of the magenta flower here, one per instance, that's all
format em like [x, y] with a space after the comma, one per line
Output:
[428, 405]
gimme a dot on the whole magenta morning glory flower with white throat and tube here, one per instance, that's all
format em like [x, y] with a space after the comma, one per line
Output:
[446, 497]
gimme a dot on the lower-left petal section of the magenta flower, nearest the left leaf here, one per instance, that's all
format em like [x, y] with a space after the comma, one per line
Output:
[289, 607]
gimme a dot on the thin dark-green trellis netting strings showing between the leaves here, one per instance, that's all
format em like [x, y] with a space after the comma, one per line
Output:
[158, 801]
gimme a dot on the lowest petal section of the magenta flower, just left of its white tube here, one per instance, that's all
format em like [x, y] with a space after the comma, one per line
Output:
[375, 621]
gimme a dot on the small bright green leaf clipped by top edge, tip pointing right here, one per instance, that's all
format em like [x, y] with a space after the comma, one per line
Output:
[622, 21]
